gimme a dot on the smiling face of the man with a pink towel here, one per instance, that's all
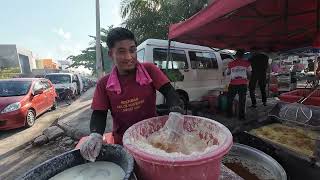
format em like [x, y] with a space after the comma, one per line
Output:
[124, 55]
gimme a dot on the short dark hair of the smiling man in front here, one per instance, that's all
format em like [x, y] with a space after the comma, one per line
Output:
[119, 34]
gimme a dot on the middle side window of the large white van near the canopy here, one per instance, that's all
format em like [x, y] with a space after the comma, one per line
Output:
[203, 60]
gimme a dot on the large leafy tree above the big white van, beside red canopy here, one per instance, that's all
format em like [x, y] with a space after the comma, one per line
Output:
[151, 18]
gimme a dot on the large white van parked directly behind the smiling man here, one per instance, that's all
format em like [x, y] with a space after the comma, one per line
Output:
[194, 70]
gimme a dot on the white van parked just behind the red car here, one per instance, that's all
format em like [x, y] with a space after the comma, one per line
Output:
[62, 81]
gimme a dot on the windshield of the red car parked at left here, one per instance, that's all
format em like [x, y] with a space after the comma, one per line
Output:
[14, 88]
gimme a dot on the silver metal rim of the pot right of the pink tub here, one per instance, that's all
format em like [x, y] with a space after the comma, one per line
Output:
[260, 159]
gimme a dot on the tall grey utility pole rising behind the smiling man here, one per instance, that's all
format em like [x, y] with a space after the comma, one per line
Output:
[98, 40]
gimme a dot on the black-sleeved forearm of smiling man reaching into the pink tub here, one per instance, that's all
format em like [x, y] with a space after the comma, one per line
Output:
[173, 100]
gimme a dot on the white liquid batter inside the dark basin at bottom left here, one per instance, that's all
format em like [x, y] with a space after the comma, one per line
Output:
[100, 170]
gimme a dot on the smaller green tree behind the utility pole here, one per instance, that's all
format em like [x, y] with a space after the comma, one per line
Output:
[87, 57]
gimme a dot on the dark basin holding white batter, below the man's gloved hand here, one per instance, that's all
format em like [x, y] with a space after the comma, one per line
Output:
[112, 153]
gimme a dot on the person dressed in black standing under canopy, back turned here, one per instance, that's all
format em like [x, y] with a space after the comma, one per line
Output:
[259, 64]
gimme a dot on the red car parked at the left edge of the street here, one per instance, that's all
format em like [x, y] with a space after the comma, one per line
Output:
[22, 100]
